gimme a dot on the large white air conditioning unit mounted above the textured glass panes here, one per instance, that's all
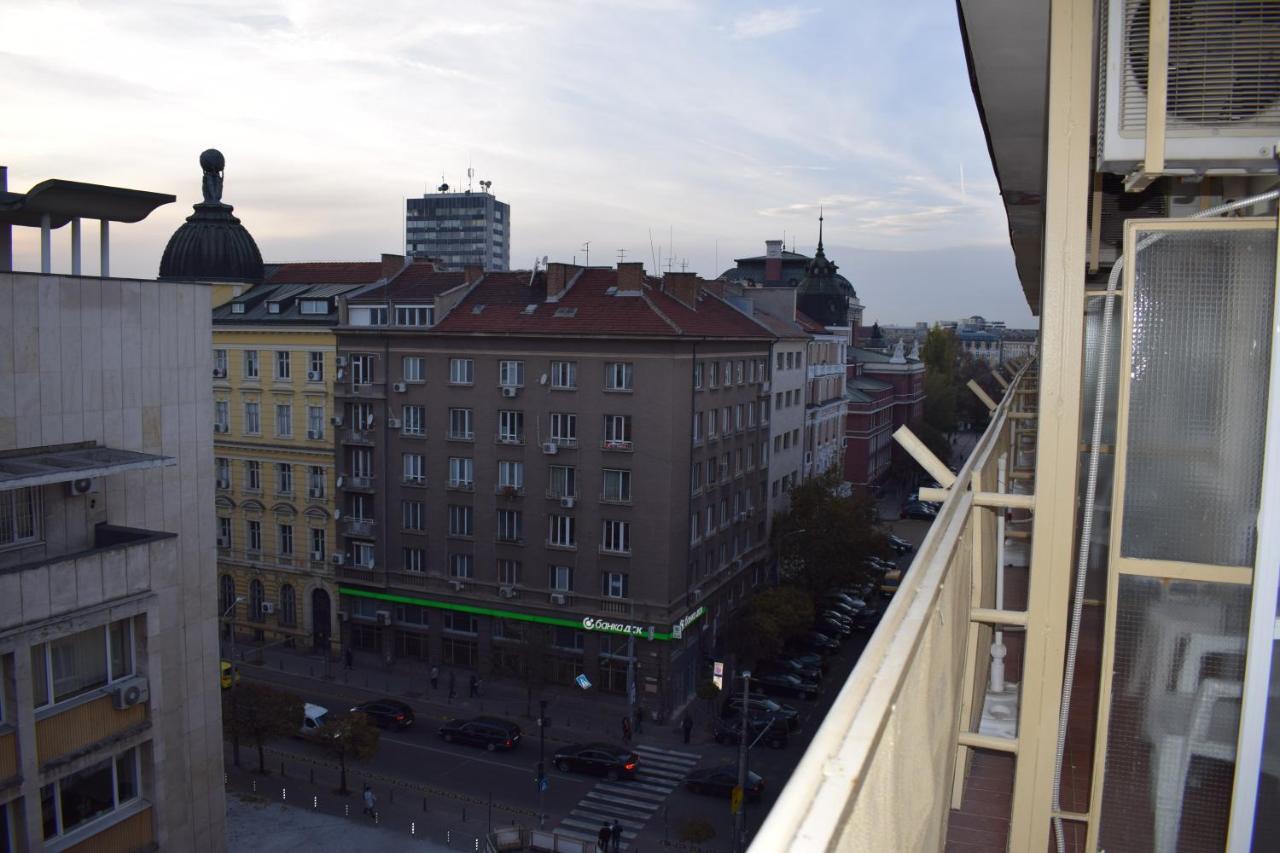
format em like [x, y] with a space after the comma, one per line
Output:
[1223, 104]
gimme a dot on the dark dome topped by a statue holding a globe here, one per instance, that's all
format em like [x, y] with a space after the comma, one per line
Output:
[212, 245]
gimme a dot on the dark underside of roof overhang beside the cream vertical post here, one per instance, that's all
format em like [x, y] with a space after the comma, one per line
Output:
[1007, 47]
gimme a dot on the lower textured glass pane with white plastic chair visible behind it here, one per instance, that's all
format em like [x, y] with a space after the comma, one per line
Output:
[1174, 718]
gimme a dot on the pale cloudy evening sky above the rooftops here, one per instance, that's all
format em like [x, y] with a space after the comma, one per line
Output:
[679, 130]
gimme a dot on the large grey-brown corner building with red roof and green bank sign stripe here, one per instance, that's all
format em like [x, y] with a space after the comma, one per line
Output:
[579, 451]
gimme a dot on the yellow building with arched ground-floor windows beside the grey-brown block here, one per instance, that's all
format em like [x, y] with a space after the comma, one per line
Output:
[275, 467]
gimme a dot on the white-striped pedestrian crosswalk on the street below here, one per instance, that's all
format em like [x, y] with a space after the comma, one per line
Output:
[629, 802]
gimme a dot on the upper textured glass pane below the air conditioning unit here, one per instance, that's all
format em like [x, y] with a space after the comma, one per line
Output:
[1201, 349]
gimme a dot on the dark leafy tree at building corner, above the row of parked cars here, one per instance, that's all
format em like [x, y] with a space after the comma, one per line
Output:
[822, 540]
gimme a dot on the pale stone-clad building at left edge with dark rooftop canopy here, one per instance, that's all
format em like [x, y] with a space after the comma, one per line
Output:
[111, 735]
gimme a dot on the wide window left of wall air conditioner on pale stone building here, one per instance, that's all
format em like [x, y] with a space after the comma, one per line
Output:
[85, 662]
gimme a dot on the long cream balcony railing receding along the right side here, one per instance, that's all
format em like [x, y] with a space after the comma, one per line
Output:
[881, 765]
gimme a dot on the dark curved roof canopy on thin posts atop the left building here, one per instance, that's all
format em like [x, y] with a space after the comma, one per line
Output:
[66, 200]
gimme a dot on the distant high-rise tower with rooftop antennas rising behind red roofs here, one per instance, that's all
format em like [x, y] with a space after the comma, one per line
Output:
[459, 230]
